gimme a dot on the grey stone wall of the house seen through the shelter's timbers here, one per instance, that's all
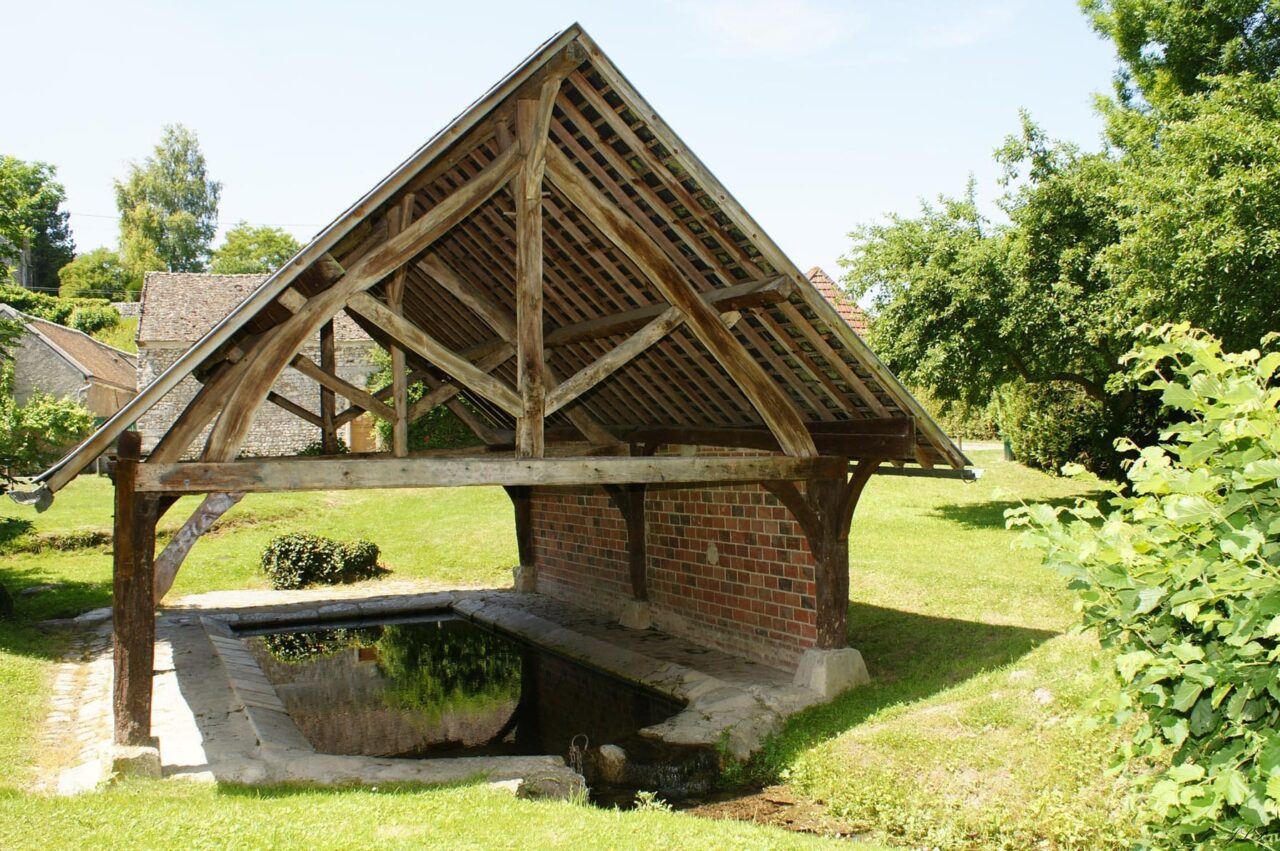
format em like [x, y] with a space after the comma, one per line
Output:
[276, 432]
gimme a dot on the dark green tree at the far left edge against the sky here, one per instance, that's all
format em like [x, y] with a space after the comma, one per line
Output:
[34, 230]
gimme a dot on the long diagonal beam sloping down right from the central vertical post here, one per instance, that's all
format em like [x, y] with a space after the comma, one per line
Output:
[770, 401]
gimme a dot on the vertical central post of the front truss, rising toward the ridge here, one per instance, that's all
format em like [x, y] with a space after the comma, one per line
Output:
[533, 120]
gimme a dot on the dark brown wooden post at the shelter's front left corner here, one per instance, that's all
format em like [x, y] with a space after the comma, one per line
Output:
[134, 598]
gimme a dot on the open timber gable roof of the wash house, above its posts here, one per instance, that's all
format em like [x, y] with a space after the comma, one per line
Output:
[560, 260]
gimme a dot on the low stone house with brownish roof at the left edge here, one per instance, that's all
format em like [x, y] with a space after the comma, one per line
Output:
[67, 364]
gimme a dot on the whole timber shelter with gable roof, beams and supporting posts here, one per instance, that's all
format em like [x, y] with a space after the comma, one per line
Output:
[580, 291]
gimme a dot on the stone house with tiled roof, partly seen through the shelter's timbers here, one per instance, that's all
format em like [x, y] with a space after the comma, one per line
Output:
[179, 309]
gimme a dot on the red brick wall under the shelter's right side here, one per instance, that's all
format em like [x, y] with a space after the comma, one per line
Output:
[729, 568]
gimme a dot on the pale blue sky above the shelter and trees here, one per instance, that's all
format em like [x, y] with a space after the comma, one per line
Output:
[819, 116]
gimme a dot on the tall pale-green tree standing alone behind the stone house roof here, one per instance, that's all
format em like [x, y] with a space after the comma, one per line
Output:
[168, 208]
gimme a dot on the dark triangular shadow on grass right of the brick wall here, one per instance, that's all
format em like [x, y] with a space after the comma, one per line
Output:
[909, 657]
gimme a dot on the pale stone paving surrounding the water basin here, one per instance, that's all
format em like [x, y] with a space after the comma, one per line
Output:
[217, 719]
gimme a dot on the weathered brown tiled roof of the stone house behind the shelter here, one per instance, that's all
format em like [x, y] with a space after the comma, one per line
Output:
[181, 308]
